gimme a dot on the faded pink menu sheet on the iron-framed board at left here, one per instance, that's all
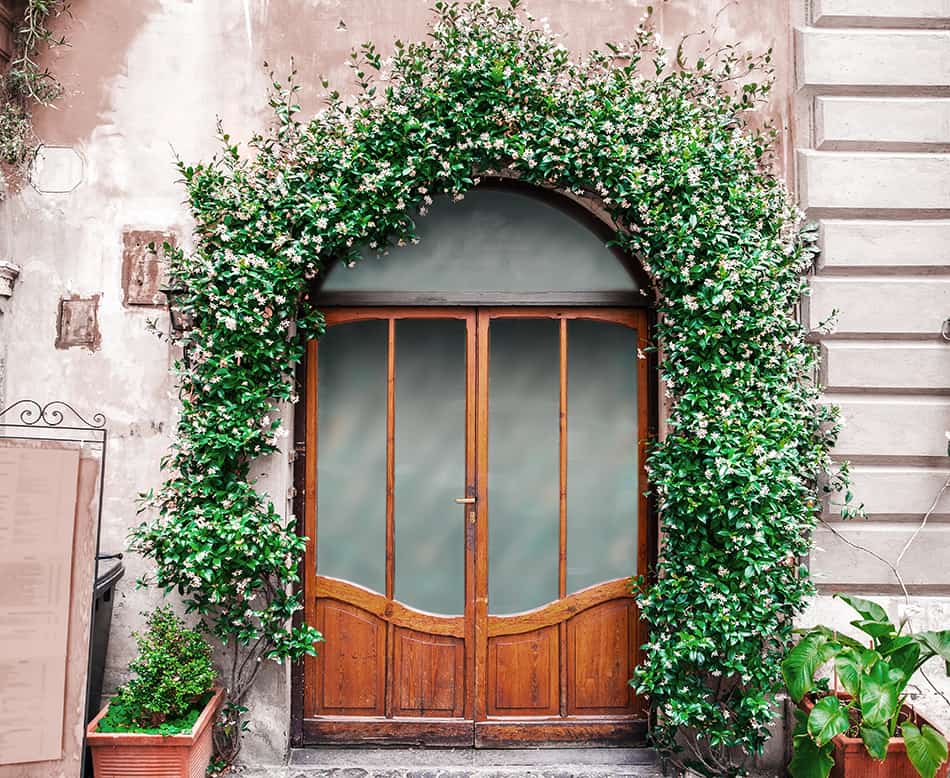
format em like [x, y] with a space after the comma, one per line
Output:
[37, 514]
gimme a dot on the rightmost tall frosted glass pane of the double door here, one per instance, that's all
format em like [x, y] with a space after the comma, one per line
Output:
[601, 453]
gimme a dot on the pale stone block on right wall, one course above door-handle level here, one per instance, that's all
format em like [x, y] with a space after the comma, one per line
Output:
[892, 425]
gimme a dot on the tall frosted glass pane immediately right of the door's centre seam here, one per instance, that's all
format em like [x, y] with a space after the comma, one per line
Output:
[523, 464]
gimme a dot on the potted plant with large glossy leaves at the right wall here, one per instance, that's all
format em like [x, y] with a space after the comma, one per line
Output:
[863, 729]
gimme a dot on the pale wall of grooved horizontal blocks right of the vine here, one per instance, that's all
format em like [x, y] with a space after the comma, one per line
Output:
[872, 130]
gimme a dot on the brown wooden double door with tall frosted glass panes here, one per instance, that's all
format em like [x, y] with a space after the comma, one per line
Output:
[475, 512]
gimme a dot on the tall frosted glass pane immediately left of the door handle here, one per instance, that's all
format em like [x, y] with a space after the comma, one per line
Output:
[430, 464]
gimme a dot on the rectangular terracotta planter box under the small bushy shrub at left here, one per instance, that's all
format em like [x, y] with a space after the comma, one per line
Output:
[122, 754]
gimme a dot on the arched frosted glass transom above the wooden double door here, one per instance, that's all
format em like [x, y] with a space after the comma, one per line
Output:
[490, 241]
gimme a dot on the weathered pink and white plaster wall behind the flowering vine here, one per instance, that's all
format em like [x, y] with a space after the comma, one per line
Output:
[146, 77]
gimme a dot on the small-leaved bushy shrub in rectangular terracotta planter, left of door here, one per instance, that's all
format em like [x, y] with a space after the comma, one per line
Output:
[160, 722]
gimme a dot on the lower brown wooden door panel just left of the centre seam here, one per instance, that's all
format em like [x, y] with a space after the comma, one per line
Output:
[428, 675]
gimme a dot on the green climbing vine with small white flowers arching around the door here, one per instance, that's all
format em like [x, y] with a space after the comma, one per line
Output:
[666, 149]
